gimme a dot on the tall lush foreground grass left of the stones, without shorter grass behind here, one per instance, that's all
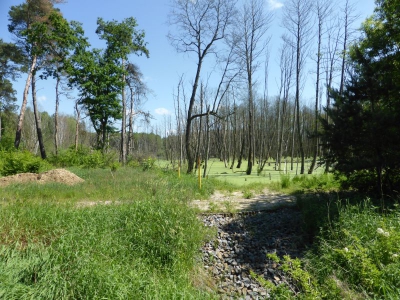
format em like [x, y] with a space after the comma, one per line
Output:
[137, 251]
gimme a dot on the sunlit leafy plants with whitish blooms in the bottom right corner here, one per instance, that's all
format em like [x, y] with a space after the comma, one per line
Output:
[360, 250]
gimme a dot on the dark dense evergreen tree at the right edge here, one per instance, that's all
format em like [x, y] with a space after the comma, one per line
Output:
[364, 135]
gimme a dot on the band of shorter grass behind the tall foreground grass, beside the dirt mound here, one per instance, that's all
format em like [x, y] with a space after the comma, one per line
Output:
[126, 184]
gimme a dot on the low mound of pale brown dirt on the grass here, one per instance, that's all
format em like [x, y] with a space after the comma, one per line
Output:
[56, 175]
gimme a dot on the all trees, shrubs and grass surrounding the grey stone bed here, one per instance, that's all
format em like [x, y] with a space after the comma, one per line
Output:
[127, 231]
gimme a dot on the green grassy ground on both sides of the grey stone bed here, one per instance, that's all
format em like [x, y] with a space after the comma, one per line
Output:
[128, 233]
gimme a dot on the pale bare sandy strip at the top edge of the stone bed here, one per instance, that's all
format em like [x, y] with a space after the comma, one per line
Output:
[238, 202]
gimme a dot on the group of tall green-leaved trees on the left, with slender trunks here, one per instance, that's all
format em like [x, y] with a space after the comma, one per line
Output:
[48, 46]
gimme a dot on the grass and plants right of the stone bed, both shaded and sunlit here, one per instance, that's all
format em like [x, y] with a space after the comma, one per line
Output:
[355, 252]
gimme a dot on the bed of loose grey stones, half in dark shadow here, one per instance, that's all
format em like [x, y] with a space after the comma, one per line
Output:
[243, 240]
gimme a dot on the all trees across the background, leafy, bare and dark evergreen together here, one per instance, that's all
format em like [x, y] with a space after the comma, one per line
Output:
[228, 112]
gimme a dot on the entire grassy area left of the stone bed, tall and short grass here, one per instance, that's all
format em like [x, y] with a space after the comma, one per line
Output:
[144, 247]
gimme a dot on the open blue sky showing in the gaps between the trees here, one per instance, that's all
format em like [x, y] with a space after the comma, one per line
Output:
[164, 67]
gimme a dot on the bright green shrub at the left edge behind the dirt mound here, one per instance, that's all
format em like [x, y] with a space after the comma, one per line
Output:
[14, 162]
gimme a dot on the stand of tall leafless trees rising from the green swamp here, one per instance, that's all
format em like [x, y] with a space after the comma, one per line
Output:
[236, 36]
